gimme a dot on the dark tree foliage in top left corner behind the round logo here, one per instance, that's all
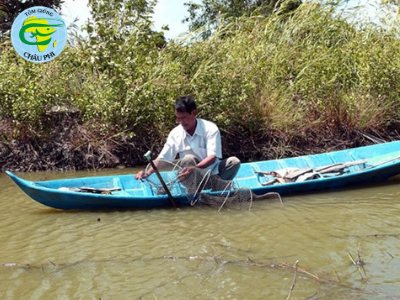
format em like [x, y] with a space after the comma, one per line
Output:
[10, 9]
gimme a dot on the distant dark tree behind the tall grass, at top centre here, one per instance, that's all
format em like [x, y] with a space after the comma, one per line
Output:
[208, 13]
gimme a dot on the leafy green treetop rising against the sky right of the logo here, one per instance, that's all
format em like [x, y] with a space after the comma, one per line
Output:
[121, 26]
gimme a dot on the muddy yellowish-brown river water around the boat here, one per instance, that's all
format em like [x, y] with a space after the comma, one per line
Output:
[302, 250]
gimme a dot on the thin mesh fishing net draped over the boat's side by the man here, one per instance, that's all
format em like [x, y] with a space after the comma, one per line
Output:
[202, 187]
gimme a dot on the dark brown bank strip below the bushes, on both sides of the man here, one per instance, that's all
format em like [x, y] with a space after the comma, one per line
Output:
[68, 144]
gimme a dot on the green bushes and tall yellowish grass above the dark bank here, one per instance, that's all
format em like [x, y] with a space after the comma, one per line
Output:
[288, 73]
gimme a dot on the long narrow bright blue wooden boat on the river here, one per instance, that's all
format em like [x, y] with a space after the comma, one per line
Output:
[346, 168]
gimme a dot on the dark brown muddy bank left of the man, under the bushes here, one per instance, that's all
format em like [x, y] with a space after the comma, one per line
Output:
[64, 144]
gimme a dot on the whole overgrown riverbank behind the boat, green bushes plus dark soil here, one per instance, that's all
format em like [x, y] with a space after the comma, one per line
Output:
[287, 85]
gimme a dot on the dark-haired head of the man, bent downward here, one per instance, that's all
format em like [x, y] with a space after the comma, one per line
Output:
[186, 112]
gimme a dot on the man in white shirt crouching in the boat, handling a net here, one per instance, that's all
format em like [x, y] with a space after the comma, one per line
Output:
[195, 140]
